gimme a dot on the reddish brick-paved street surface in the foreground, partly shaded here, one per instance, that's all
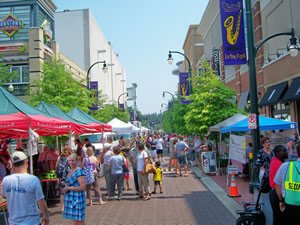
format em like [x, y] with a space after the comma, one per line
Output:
[185, 201]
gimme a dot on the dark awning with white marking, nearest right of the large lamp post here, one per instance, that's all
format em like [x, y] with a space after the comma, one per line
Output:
[273, 94]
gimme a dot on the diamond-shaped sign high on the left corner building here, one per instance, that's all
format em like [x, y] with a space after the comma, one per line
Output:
[10, 25]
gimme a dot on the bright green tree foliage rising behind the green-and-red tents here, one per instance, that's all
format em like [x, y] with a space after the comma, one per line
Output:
[57, 86]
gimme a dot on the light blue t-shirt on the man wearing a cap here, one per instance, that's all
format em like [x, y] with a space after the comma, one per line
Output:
[22, 192]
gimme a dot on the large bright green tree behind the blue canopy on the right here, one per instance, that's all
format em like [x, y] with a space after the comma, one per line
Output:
[211, 102]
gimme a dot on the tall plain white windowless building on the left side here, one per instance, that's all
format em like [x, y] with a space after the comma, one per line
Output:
[90, 46]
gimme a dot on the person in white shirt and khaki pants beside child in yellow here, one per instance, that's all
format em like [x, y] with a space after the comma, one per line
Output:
[143, 179]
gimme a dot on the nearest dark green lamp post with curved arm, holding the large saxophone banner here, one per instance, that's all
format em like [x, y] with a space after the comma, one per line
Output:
[252, 50]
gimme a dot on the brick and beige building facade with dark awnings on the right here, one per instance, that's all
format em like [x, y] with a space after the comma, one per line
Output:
[278, 74]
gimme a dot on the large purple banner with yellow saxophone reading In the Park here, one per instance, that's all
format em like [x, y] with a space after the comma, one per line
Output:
[233, 32]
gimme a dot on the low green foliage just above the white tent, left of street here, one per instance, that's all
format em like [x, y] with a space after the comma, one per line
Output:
[109, 112]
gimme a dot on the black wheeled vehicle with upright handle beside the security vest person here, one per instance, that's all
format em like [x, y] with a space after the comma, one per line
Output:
[252, 213]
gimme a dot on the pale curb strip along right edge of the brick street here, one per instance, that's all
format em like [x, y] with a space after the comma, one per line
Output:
[211, 185]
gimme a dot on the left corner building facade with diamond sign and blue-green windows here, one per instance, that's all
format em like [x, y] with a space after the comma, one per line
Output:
[27, 38]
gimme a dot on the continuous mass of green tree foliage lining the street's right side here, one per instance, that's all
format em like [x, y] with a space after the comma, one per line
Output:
[211, 102]
